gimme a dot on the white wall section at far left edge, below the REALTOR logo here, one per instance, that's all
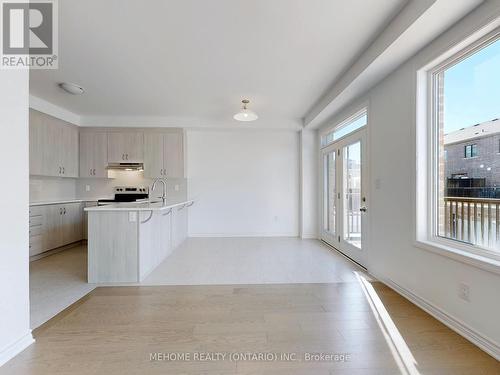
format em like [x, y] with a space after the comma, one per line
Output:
[15, 332]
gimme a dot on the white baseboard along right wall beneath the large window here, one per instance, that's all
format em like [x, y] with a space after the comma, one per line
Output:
[485, 343]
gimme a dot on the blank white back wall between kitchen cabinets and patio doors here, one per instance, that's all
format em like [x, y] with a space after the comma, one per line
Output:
[245, 182]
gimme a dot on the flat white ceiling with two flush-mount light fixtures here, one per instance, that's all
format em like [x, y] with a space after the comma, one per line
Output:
[193, 61]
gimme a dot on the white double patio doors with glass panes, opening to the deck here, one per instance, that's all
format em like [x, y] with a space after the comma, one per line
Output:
[344, 200]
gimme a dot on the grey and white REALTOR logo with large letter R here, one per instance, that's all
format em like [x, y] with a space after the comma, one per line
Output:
[29, 34]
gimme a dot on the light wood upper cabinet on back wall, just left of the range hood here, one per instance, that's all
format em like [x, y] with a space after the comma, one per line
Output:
[93, 154]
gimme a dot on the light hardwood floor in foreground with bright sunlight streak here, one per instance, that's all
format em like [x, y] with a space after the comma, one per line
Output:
[113, 330]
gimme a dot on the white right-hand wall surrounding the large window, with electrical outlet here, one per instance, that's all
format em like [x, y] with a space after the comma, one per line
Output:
[392, 254]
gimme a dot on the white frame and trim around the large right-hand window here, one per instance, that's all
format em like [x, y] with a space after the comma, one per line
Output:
[427, 155]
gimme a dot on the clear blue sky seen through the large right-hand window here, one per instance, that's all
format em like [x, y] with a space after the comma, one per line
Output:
[472, 90]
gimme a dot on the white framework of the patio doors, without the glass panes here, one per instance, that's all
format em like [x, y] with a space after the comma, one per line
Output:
[343, 246]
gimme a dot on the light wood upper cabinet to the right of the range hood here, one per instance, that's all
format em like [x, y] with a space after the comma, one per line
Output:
[164, 154]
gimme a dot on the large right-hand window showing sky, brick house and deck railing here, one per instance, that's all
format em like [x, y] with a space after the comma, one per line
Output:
[464, 175]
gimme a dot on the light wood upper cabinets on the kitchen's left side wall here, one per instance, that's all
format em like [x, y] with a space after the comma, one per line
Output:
[53, 146]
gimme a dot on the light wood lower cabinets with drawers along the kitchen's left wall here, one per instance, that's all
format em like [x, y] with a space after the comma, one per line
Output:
[55, 225]
